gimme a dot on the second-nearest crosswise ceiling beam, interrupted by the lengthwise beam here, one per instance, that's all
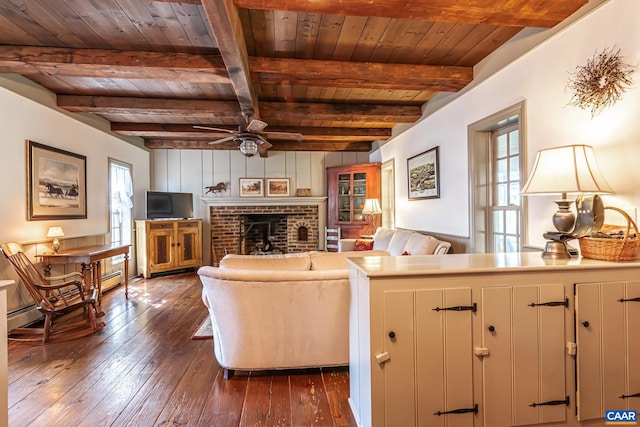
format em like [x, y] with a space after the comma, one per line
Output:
[171, 66]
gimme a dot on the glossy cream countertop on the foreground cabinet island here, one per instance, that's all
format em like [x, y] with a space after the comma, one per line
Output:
[489, 263]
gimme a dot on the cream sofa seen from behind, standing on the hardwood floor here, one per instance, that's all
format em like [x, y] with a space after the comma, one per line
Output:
[280, 311]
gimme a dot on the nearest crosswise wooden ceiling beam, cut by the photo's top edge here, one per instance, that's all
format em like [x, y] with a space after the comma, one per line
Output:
[515, 13]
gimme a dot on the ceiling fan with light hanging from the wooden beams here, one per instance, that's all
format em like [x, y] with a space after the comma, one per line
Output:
[251, 136]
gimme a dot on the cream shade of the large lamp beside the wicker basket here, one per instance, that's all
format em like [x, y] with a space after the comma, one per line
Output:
[566, 169]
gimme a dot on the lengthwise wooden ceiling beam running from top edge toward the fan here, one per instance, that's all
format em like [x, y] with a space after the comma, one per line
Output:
[226, 26]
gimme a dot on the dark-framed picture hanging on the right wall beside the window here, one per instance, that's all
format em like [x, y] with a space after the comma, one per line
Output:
[423, 175]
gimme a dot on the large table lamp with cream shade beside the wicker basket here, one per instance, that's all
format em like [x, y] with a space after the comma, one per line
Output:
[566, 169]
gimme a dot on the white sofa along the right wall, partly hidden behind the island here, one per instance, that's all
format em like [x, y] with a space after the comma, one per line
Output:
[401, 242]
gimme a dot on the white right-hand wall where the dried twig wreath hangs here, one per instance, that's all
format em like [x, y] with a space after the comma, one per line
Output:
[539, 77]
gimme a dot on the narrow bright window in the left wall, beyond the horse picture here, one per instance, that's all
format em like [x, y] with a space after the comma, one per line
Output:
[121, 190]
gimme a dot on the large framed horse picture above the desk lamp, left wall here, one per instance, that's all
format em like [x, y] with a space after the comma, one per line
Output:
[56, 183]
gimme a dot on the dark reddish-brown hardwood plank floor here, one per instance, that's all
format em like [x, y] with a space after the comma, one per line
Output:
[143, 369]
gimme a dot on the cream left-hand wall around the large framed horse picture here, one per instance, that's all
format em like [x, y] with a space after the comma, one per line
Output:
[28, 112]
